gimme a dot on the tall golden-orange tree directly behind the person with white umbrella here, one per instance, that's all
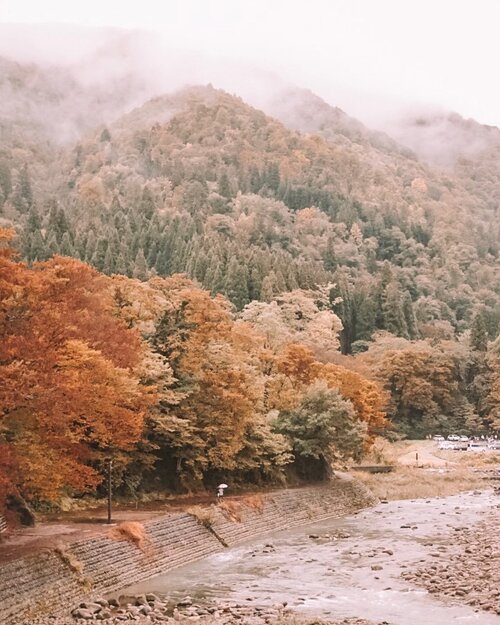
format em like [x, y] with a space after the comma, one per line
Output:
[219, 377]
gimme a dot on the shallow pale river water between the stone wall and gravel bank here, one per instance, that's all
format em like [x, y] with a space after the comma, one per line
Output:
[332, 575]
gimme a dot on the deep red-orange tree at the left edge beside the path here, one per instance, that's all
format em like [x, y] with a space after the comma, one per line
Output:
[69, 391]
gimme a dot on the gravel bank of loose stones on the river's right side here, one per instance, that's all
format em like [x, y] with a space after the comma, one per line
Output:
[468, 568]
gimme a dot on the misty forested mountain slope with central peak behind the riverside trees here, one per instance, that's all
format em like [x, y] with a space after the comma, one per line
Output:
[199, 182]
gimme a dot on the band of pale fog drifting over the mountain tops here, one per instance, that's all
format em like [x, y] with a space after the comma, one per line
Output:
[114, 70]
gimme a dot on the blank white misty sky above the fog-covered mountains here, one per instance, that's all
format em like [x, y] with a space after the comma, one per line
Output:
[363, 55]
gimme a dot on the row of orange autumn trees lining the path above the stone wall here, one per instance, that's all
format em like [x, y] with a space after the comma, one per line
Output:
[164, 378]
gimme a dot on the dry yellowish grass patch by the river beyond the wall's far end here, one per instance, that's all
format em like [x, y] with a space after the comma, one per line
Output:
[413, 483]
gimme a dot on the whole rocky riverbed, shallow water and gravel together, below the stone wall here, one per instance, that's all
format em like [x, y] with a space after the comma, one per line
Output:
[431, 561]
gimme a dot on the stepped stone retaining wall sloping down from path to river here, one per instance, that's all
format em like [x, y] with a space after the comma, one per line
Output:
[53, 582]
